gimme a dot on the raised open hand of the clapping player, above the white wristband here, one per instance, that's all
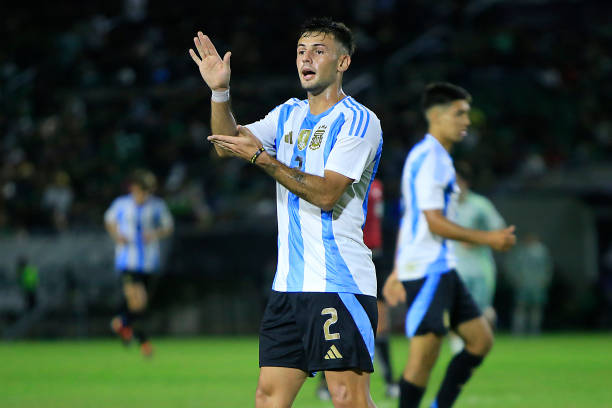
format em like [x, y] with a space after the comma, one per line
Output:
[214, 70]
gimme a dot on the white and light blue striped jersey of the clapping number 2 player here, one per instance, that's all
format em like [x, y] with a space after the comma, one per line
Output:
[323, 251]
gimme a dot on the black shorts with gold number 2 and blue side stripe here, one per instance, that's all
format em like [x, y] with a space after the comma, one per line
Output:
[318, 331]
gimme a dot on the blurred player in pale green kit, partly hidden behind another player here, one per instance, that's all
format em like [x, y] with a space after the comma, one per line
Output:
[475, 263]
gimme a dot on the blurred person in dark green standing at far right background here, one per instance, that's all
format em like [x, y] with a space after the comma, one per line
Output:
[530, 269]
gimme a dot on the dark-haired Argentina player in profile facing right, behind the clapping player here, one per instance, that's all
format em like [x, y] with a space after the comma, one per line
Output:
[424, 274]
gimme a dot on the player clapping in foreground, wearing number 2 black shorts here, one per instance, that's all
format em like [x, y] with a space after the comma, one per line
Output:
[323, 152]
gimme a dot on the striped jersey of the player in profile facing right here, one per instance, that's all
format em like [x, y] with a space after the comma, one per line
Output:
[428, 183]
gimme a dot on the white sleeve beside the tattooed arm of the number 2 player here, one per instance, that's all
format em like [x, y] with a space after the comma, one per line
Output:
[351, 154]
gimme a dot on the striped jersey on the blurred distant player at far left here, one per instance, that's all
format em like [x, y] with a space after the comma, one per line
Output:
[133, 222]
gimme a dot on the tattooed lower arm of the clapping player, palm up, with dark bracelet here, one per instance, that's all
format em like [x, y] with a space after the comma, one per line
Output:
[323, 192]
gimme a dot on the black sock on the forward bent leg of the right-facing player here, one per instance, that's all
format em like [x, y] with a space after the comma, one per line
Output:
[458, 372]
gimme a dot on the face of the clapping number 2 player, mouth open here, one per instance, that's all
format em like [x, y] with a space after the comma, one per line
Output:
[318, 61]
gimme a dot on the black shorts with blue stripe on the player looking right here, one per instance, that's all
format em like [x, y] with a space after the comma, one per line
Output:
[437, 302]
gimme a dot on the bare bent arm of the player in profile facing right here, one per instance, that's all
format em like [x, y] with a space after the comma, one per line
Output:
[500, 240]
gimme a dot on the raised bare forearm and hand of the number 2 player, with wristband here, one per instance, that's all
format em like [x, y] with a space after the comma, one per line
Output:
[216, 73]
